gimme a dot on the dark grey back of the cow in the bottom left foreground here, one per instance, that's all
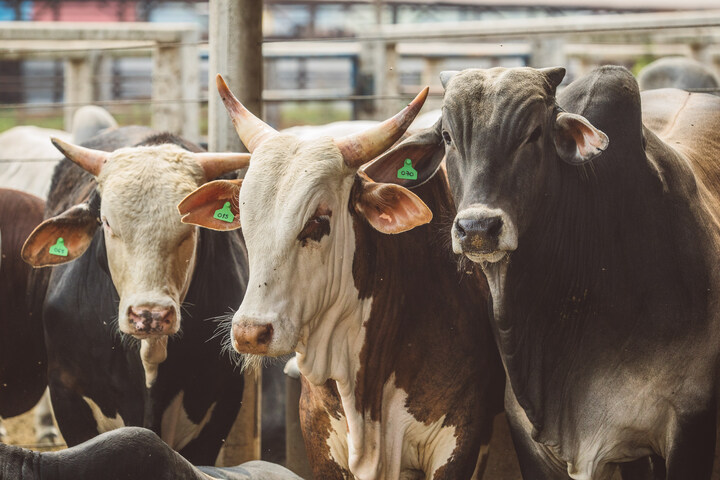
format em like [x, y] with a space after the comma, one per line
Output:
[126, 453]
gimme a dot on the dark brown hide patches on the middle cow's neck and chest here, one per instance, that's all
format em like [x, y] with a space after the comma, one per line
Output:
[429, 327]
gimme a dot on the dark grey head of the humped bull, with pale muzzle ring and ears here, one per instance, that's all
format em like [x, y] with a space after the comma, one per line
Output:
[503, 135]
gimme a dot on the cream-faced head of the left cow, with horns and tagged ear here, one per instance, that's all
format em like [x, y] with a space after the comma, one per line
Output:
[150, 253]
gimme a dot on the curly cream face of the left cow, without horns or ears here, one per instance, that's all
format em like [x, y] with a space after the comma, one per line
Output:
[151, 254]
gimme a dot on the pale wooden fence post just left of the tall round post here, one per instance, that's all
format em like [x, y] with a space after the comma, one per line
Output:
[175, 85]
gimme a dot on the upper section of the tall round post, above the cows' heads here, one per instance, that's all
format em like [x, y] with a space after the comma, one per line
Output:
[236, 53]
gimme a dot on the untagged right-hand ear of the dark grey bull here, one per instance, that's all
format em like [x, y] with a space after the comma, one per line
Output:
[577, 141]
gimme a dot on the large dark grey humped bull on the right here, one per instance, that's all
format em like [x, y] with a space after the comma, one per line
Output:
[599, 238]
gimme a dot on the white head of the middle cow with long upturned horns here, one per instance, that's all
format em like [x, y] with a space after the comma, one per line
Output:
[296, 207]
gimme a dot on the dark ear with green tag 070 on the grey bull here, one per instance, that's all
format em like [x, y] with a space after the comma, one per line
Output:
[412, 162]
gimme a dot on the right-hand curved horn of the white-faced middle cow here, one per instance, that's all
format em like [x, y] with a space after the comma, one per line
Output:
[362, 147]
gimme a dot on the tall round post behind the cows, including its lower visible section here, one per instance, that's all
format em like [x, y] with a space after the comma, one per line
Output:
[236, 53]
